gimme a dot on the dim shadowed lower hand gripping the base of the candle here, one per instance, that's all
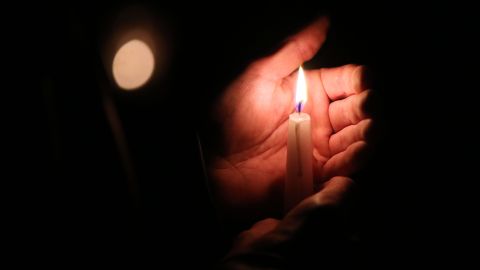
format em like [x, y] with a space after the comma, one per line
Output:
[316, 227]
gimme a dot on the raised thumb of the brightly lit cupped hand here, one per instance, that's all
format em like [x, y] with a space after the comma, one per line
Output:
[298, 49]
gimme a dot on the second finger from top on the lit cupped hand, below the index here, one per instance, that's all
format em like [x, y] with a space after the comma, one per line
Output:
[348, 111]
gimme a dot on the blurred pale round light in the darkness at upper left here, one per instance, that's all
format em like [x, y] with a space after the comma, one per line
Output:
[133, 65]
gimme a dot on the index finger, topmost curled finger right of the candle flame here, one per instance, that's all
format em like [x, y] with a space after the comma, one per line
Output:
[344, 81]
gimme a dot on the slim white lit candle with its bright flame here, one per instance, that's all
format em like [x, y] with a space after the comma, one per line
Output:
[299, 178]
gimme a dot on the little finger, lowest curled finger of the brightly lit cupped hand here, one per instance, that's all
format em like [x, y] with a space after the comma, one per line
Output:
[346, 162]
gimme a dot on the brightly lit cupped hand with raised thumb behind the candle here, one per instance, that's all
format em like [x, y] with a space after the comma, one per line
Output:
[249, 170]
